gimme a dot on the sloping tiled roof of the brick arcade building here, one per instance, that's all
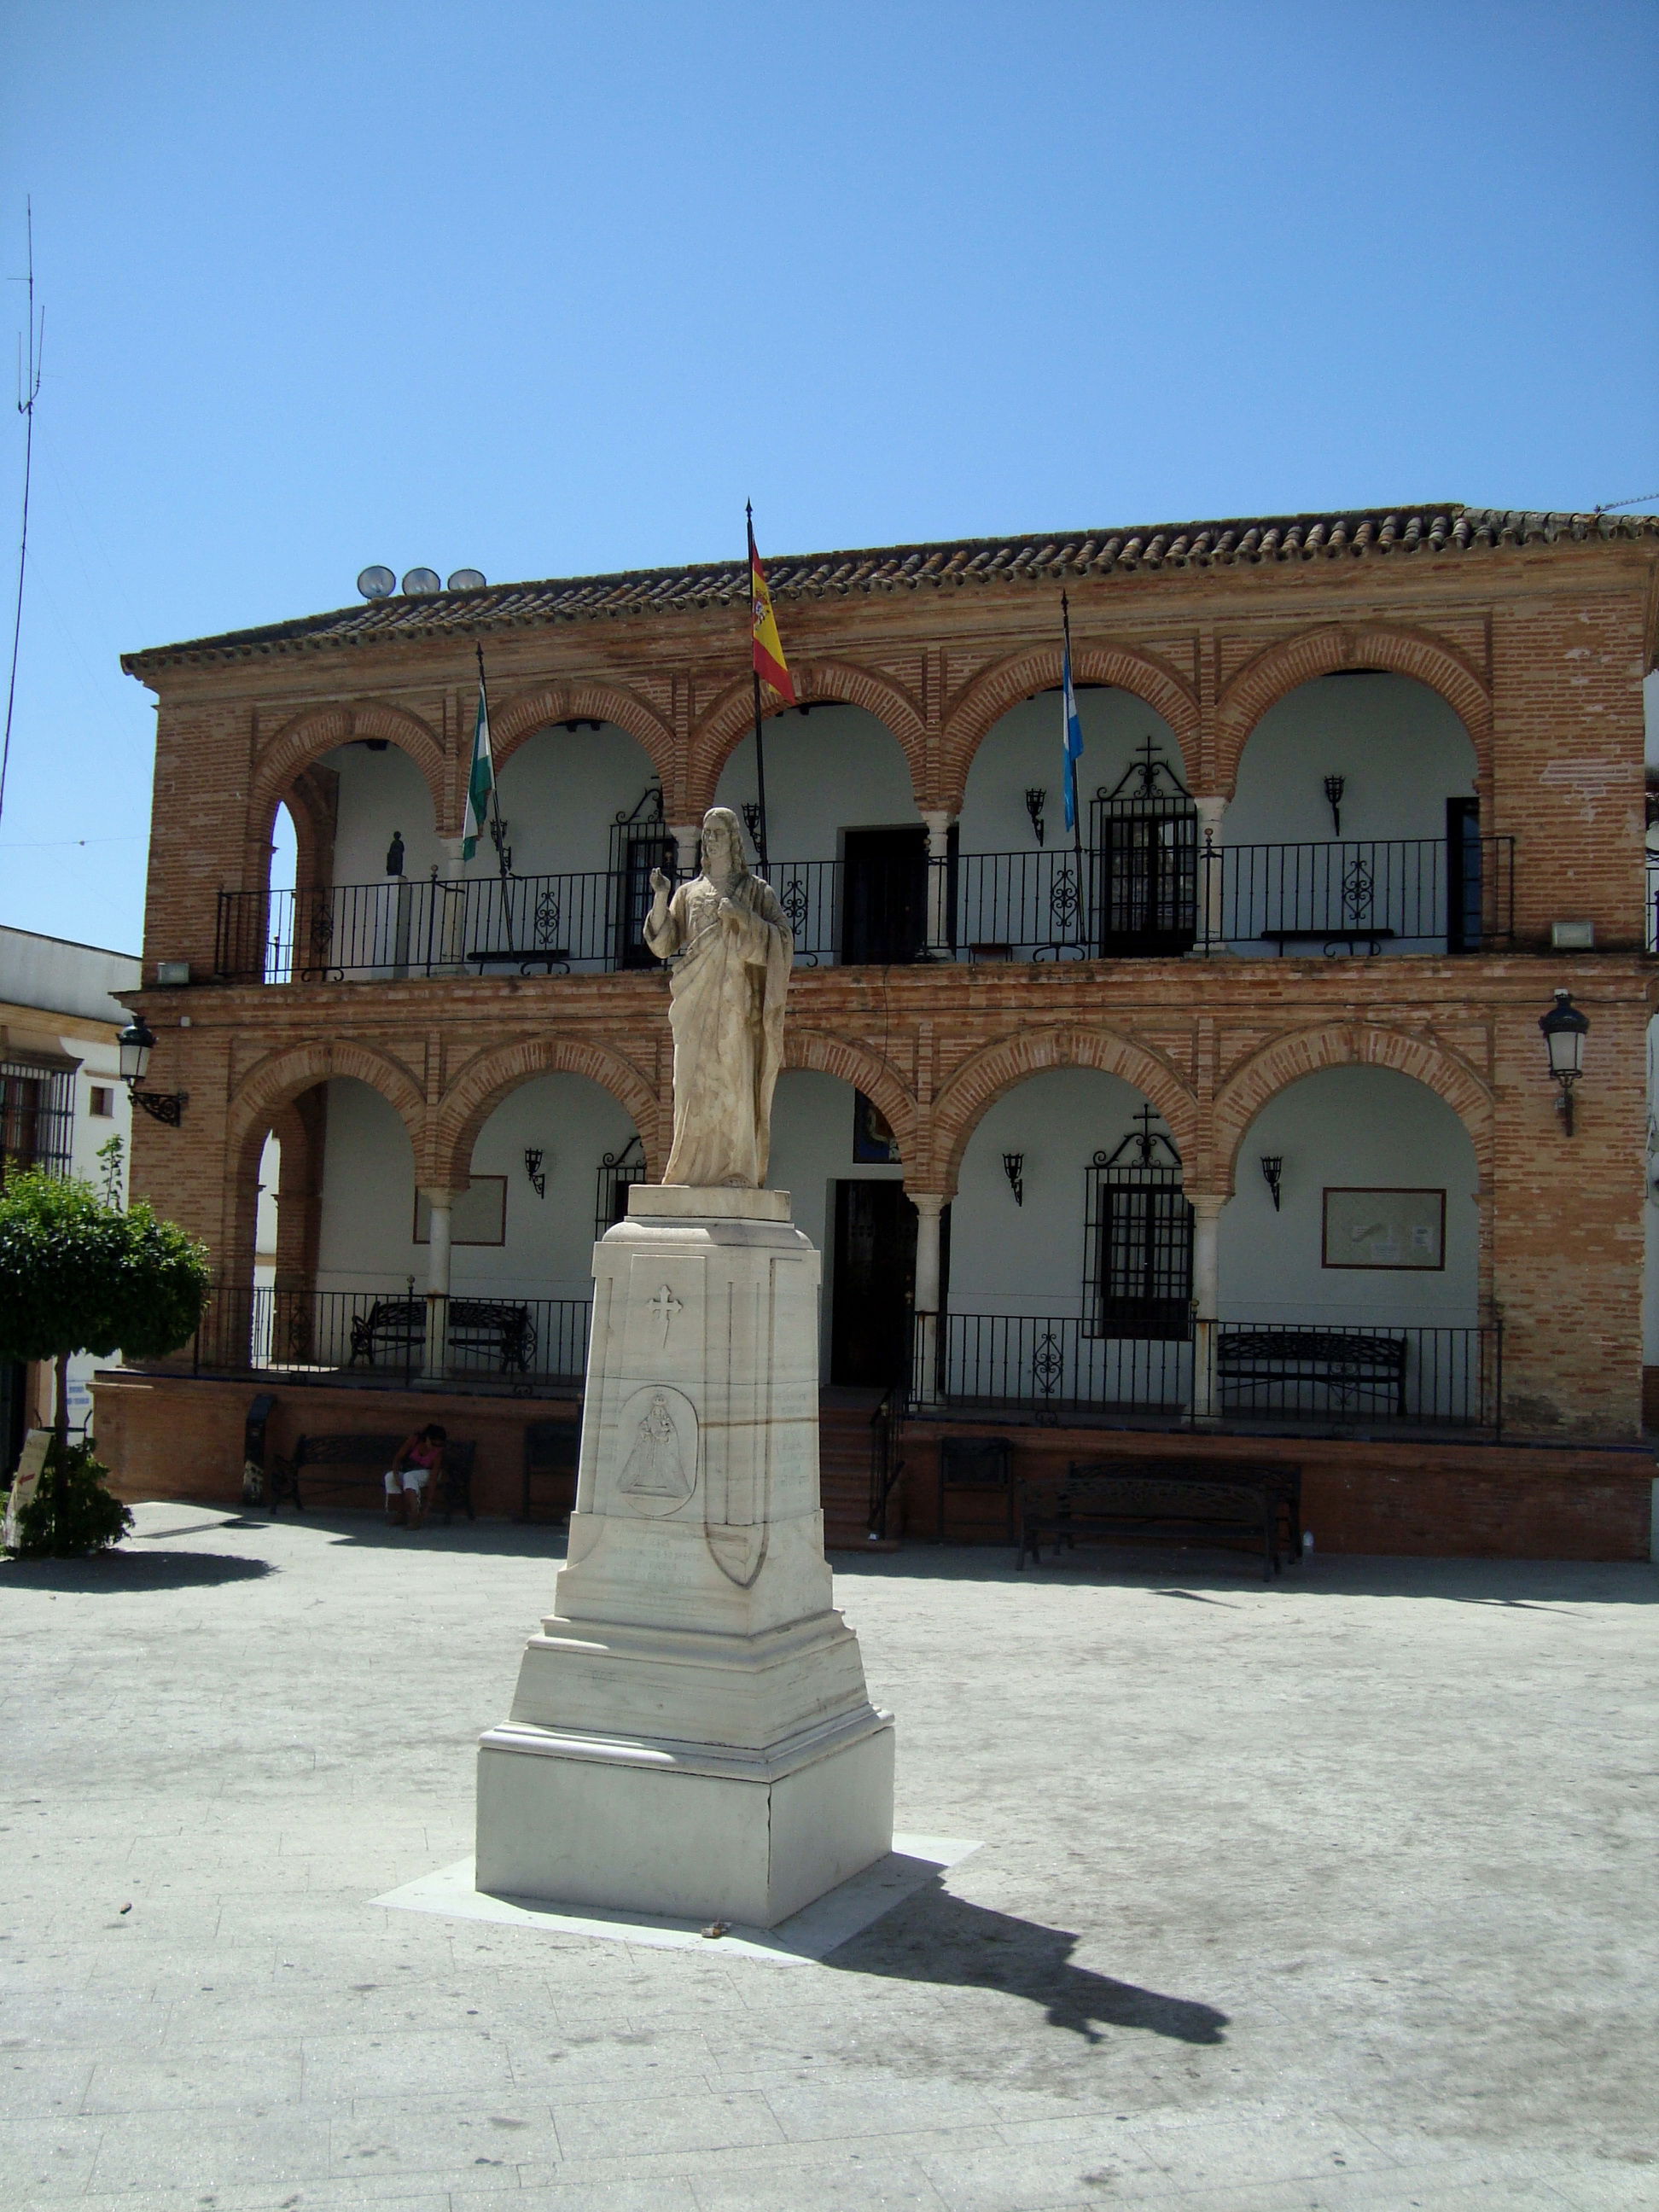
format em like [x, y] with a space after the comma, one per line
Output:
[974, 561]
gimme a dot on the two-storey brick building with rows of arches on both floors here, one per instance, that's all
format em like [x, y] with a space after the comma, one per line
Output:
[1224, 1120]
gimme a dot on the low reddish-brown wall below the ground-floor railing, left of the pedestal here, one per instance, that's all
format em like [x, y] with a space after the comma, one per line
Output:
[182, 1437]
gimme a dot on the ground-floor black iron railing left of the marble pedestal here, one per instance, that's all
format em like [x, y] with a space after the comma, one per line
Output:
[395, 1335]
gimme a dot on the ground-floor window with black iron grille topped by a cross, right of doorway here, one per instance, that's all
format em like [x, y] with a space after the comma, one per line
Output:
[1138, 1240]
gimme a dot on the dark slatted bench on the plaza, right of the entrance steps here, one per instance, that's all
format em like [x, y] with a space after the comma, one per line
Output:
[1235, 1505]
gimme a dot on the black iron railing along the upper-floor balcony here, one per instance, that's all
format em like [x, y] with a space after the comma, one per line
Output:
[1346, 897]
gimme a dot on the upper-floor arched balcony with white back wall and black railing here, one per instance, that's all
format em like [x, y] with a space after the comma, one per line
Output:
[1355, 828]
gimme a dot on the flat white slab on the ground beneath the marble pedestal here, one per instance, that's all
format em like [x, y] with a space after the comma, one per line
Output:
[802, 1941]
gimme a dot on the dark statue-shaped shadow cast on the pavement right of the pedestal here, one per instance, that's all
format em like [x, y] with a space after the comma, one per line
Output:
[952, 1943]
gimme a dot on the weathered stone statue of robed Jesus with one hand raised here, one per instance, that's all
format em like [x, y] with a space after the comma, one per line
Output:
[733, 954]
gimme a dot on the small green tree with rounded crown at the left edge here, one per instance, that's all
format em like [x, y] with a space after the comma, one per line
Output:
[79, 1275]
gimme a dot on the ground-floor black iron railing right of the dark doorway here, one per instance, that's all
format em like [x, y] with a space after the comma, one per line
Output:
[1344, 1375]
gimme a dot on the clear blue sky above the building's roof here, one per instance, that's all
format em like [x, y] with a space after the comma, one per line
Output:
[552, 289]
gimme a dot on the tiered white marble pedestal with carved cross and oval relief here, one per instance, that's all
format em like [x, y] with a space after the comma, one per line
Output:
[691, 1731]
